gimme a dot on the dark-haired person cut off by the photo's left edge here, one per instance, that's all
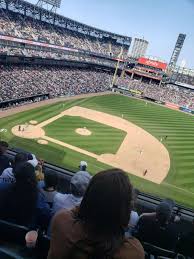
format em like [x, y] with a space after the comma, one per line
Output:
[5, 162]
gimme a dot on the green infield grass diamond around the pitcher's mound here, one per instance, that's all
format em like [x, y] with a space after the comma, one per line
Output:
[104, 139]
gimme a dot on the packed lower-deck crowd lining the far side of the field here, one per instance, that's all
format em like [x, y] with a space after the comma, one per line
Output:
[22, 81]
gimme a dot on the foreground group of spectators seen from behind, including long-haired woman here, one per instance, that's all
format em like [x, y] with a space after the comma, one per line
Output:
[90, 220]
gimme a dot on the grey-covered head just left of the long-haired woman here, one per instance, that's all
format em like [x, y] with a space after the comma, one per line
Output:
[79, 183]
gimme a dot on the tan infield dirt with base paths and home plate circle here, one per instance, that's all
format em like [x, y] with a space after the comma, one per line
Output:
[139, 151]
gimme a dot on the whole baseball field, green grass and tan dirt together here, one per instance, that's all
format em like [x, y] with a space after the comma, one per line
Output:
[154, 144]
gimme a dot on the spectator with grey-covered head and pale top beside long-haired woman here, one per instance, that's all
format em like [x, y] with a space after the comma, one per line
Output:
[78, 185]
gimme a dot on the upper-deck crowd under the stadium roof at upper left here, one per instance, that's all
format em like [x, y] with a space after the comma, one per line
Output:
[16, 25]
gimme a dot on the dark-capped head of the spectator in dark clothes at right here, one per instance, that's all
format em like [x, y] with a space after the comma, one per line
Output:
[164, 212]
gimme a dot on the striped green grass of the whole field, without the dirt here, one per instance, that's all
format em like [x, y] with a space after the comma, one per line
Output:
[157, 120]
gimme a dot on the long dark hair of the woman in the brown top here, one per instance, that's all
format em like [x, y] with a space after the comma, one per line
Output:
[106, 205]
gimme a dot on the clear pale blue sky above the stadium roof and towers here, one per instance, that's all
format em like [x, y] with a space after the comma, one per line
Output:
[157, 21]
